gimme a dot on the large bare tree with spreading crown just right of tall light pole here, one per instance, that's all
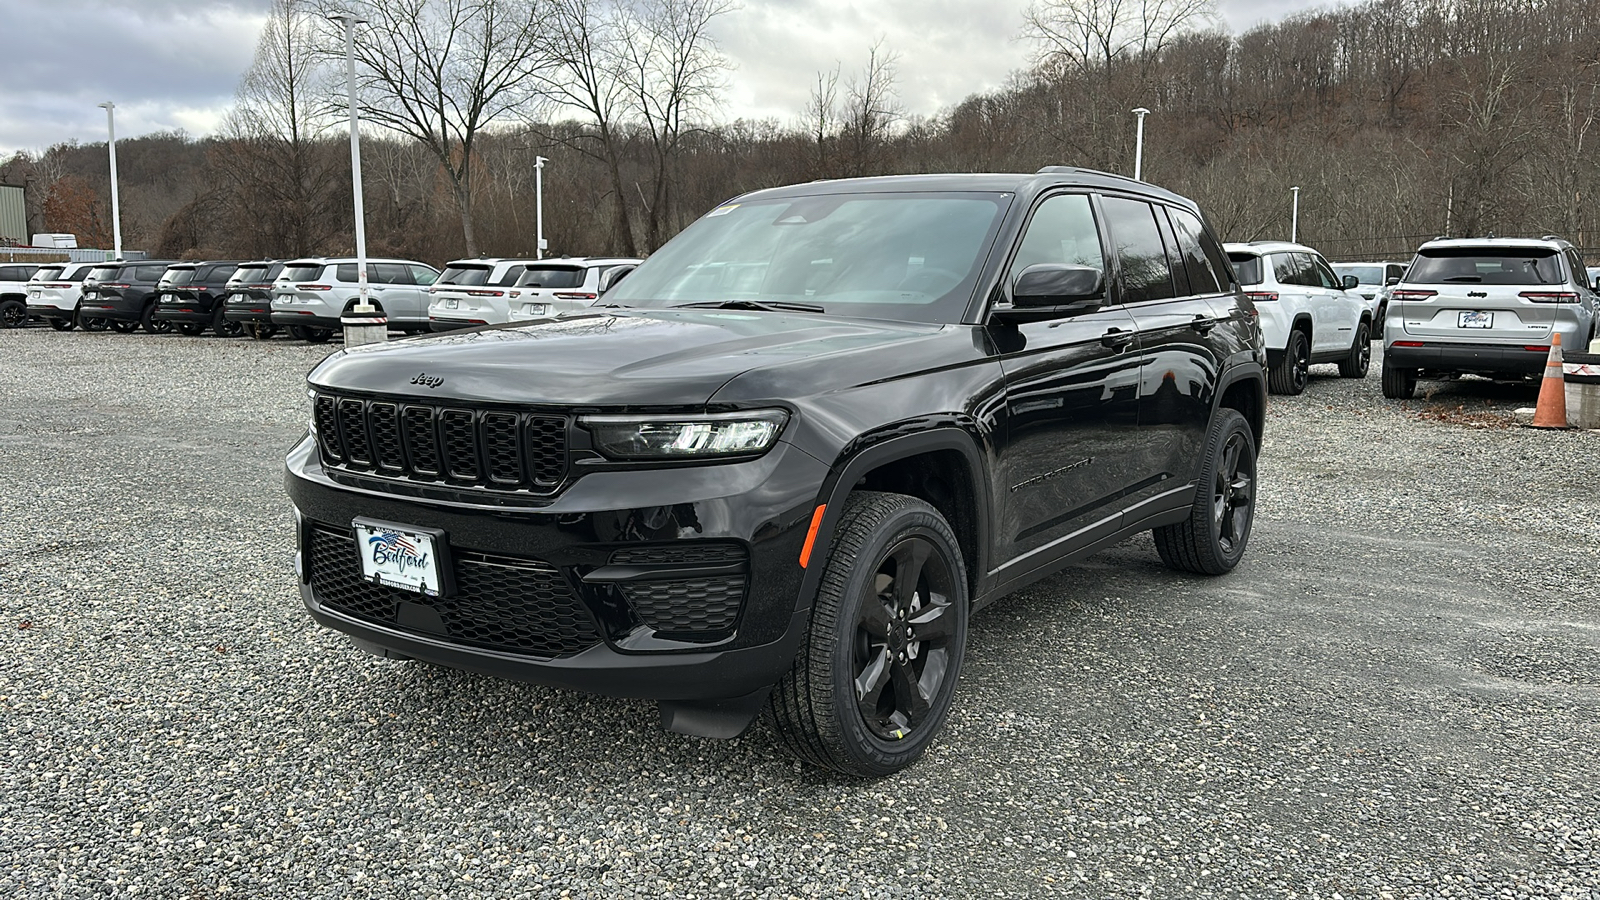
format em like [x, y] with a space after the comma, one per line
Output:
[442, 71]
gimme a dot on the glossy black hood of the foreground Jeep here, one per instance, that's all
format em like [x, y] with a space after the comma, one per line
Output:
[636, 358]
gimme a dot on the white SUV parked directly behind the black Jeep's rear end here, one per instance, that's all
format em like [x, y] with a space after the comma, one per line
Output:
[1308, 315]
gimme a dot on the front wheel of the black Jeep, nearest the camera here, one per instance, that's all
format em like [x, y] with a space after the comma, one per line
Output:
[874, 680]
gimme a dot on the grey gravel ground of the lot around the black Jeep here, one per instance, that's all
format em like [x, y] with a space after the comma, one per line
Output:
[1398, 694]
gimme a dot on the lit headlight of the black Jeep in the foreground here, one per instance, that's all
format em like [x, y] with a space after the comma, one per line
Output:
[686, 438]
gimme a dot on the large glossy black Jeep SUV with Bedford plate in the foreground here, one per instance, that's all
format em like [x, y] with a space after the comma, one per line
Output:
[793, 452]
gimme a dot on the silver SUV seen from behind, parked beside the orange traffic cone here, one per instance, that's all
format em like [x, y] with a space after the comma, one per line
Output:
[1486, 307]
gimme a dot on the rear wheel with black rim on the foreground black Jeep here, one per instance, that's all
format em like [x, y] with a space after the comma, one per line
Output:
[1214, 537]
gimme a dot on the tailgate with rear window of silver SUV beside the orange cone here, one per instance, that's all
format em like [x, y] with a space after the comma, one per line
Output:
[1497, 295]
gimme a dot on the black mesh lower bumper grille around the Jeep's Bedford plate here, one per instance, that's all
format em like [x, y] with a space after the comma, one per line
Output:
[502, 605]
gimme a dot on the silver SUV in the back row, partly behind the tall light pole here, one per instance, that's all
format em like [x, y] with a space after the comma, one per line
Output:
[311, 295]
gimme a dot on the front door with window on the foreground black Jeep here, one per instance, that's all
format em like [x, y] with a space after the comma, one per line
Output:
[1071, 411]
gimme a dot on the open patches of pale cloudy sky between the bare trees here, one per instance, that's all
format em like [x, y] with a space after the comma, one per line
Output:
[174, 65]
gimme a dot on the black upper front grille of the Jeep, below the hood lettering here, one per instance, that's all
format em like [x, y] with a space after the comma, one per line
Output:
[447, 444]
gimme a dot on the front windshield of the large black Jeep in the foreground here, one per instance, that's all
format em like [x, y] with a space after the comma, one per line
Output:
[911, 257]
